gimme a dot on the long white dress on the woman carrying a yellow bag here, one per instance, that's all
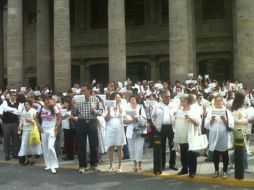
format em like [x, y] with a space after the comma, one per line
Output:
[27, 149]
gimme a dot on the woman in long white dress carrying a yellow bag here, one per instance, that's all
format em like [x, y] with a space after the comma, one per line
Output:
[27, 120]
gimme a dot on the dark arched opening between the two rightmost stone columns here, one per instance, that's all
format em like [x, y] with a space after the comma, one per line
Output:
[219, 69]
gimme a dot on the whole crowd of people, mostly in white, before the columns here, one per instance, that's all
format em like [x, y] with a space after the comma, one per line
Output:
[93, 120]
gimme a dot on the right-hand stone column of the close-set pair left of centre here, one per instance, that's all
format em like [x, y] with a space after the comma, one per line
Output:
[62, 49]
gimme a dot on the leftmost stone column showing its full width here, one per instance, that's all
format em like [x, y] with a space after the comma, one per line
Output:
[14, 43]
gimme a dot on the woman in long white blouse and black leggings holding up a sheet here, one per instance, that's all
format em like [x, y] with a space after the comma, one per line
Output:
[219, 122]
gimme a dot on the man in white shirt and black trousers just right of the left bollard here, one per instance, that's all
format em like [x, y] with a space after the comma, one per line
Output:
[169, 109]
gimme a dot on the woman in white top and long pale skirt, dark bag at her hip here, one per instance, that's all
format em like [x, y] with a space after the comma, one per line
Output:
[136, 117]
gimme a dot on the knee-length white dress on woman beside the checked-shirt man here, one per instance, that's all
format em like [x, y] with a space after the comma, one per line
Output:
[115, 135]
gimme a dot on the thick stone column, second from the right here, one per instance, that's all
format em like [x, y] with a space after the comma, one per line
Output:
[182, 53]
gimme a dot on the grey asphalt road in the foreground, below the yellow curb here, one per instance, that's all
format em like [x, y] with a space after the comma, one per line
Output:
[34, 178]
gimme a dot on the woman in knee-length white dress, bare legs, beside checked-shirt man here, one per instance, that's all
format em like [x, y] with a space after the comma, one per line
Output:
[115, 135]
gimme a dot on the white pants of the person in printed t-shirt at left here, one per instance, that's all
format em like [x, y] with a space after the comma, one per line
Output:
[48, 145]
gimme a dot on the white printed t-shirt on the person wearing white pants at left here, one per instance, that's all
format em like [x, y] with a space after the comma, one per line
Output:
[48, 119]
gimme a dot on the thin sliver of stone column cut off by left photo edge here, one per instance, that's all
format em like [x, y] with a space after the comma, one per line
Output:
[1, 46]
